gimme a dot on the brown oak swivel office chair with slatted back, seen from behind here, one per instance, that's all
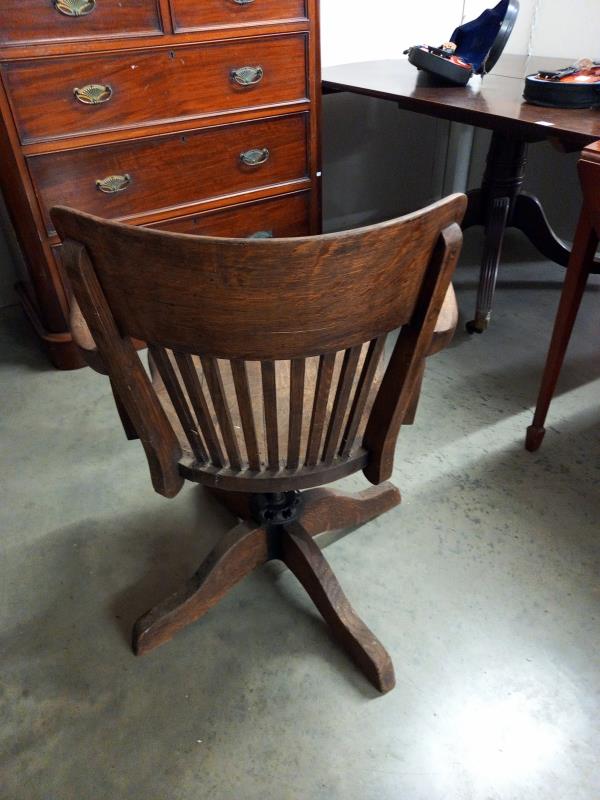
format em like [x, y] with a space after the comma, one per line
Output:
[268, 379]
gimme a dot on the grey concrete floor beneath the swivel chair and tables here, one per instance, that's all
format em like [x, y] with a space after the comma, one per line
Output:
[483, 584]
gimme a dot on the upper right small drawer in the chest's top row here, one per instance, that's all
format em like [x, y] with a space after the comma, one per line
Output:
[190, 15]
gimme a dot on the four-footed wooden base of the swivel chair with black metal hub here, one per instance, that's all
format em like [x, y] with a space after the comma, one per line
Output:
[268, 535]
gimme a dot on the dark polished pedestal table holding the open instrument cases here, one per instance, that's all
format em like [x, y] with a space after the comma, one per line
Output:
[494, 102]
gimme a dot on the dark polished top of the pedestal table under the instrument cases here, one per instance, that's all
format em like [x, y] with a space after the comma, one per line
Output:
[494, 102]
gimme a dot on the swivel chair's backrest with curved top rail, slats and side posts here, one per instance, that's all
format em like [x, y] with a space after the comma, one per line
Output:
[251, 337]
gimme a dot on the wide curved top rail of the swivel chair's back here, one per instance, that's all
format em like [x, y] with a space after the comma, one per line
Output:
[271, 299]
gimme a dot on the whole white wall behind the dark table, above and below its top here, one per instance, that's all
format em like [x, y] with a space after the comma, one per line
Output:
[378, 163]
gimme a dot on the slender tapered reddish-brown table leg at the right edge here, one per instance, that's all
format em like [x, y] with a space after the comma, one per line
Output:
[578, 270]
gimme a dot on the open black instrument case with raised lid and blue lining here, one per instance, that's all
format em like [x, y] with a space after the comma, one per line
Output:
[480, 44]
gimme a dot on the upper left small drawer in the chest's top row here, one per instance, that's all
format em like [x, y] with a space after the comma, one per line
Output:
[33, 21]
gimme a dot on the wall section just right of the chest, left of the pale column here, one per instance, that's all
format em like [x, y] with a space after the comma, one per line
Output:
[378, 161]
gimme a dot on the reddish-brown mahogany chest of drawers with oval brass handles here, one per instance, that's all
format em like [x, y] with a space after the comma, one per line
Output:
[197, 116]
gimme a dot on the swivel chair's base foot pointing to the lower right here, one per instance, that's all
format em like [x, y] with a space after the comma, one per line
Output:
[305, 559]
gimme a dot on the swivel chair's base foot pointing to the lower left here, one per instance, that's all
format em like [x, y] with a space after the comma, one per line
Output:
[239, 552]
